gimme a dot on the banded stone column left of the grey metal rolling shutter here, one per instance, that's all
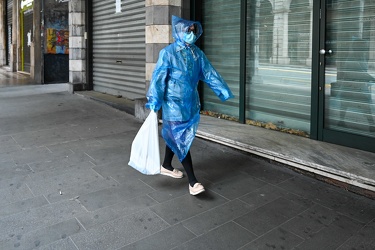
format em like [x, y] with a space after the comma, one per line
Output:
[77, 46]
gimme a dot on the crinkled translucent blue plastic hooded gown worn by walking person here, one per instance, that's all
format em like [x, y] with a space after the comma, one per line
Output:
[174, 83]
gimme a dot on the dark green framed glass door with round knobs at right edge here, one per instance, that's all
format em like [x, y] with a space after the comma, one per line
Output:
[347, 73]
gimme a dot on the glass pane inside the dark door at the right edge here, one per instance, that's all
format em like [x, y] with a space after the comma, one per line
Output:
[350, 68]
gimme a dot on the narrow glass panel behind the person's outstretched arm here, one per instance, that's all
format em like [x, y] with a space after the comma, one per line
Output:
[221, 38]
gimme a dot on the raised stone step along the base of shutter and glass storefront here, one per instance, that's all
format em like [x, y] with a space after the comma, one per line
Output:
[350, 168]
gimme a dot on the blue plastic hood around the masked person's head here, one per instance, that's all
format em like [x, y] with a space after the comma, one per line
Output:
[180, 27]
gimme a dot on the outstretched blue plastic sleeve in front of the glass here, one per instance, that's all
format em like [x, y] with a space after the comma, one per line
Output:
[214, 80]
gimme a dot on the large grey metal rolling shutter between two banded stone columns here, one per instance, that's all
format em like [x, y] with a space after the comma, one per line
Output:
[119, 53]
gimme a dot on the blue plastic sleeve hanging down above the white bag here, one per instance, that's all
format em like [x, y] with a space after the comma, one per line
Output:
[156, 90]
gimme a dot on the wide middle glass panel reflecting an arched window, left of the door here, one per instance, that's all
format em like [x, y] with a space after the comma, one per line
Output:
[279, 64]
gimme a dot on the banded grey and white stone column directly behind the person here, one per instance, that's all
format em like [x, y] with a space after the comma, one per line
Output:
[158, 35]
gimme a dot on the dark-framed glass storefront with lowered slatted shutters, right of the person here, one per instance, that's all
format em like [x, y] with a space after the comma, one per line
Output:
[299, 66]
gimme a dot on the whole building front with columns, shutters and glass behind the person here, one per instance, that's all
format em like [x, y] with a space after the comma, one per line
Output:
[299, 66]
